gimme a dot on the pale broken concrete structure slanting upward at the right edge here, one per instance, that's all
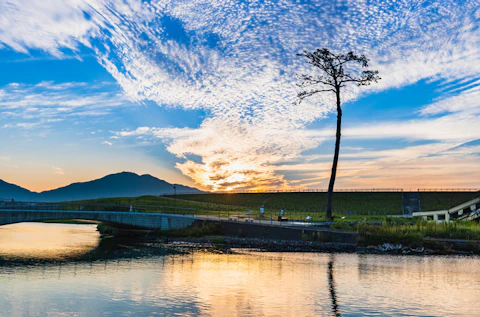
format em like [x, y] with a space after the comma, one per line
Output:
[469, 210]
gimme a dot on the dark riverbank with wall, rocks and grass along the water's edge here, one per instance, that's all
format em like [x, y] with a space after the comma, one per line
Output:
[419, 239]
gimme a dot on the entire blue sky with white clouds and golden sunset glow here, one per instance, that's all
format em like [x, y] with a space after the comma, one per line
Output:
[203, 93]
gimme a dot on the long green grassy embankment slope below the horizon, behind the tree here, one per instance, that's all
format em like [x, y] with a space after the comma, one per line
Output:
[354, 206]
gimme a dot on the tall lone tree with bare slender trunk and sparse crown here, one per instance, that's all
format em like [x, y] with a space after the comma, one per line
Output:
[333, 78]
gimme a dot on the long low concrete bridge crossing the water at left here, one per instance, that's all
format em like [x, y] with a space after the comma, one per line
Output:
[143, 220]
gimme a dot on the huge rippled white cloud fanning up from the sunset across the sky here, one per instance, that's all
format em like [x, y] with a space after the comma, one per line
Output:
[237, 61]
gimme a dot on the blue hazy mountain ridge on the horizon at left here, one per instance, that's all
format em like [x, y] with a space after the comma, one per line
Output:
[123, 184]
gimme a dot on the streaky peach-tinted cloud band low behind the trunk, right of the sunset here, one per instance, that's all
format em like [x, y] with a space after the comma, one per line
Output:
[438, 165]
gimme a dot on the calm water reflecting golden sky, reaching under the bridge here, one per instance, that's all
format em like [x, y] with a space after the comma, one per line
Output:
[117, 279]
